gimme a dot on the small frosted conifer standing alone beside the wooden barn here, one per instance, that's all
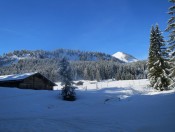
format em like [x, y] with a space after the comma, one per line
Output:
[68, 92]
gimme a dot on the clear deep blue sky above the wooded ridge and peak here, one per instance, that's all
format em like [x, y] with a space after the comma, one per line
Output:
[89, 25]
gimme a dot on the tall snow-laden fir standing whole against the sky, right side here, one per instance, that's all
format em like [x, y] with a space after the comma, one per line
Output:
[157, 63]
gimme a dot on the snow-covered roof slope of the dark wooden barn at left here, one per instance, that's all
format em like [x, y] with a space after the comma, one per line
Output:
[16, 76]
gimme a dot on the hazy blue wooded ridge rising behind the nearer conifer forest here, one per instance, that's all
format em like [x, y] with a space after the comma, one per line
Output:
[72, 55]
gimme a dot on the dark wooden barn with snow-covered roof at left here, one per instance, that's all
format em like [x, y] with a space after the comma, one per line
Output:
[27, 81]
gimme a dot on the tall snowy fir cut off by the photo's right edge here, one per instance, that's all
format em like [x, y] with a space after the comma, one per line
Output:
[171, 41]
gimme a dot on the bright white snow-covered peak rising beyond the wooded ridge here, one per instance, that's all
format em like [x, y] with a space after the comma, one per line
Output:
[124, 57]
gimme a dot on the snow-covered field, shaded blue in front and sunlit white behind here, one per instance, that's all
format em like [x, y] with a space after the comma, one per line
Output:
[108, 106]
